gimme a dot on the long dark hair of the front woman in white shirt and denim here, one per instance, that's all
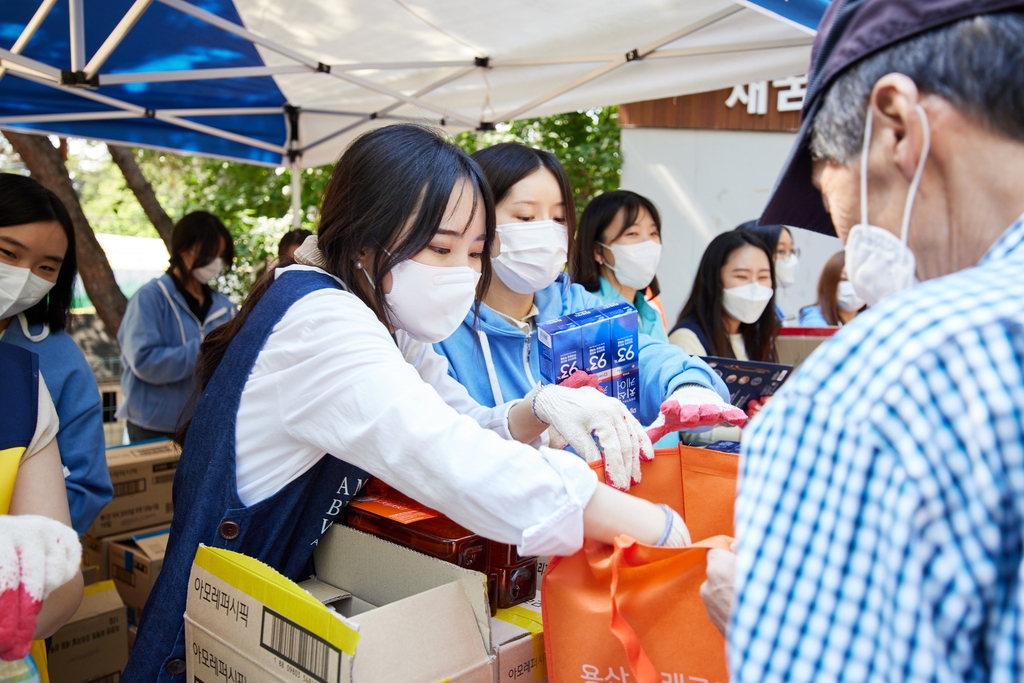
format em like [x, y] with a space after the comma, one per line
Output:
[389, 193]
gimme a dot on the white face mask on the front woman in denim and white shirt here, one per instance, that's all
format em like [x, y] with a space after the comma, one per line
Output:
[430, 302]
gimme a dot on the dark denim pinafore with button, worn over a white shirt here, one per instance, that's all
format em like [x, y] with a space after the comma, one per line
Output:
[282, 531]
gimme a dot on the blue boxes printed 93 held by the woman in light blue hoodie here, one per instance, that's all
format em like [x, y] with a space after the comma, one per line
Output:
[603, 341]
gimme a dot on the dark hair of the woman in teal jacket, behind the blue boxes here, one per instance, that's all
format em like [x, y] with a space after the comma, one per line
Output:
[596, 219]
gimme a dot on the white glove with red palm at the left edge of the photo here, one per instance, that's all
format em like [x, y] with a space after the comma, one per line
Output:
[38, 556]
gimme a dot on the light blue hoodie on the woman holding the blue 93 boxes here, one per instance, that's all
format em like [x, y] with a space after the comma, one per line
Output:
[515, 365]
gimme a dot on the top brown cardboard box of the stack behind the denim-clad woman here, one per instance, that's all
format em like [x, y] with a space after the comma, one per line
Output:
[142, 475]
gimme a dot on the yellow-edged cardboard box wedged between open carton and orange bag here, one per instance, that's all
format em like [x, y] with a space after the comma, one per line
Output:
[518, 635]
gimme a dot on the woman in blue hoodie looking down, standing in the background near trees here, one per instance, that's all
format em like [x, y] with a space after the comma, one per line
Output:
[165, 324]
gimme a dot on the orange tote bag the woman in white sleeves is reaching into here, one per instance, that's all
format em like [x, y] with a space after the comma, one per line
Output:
[632, 613]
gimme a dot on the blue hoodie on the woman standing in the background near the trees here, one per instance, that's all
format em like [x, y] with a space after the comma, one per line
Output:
[160, 339]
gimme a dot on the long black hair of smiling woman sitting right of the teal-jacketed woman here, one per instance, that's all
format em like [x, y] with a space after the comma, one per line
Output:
[705, 304]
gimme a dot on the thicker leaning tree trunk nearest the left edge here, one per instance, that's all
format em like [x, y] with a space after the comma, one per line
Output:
[47, 166]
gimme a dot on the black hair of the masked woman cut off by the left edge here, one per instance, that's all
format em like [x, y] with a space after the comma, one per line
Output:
[26, 201]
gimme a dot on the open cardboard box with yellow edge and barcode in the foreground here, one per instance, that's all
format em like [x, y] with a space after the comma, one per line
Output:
[400, 616]
